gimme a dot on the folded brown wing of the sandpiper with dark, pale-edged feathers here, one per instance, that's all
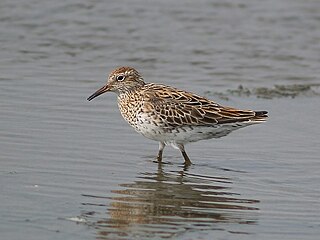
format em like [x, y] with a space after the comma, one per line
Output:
[180, 108]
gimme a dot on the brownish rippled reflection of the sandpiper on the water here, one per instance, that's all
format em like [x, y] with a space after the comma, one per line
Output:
[162, 204]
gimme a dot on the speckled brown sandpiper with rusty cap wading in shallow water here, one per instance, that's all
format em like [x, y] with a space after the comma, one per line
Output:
[172, 116]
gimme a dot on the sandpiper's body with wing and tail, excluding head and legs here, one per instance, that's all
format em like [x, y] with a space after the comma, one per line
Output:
[165, 113]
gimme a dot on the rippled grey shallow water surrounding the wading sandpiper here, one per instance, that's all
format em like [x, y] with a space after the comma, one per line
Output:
[71, 169]
